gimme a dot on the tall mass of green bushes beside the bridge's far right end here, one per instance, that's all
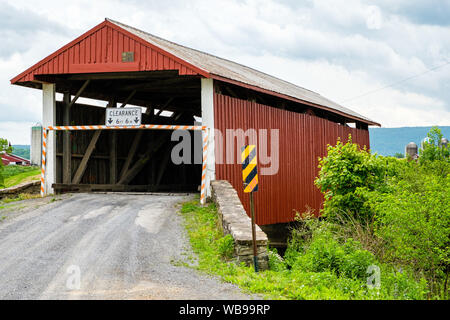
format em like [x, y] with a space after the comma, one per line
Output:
[398, 209]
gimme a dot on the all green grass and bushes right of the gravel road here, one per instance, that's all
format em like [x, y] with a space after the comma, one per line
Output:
[384, 232]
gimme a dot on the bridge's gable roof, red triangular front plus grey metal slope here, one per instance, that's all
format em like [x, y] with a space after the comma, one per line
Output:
[99, 50]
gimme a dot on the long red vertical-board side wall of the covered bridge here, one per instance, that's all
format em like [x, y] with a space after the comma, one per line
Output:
[302, 140]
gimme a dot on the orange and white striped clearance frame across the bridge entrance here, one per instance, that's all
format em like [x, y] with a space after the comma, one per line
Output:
[143, 126]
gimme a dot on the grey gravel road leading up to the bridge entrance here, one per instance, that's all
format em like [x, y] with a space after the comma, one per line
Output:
[101, 246]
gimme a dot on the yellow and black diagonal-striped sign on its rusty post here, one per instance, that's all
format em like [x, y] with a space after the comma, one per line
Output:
[250, 178]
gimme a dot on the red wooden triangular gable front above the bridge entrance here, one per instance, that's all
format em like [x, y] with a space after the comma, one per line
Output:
[100, 50]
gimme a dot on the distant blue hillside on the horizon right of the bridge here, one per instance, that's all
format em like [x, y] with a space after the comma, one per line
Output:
[388, 141]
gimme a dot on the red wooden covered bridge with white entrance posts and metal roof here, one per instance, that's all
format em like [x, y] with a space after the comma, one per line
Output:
[177, 85]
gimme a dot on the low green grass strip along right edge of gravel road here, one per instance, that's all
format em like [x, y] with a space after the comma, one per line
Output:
[207, 242]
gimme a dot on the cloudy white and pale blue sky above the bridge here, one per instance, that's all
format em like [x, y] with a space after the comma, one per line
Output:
[388, 60]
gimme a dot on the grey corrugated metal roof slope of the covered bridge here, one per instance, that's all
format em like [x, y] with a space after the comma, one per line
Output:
[237, 72]
